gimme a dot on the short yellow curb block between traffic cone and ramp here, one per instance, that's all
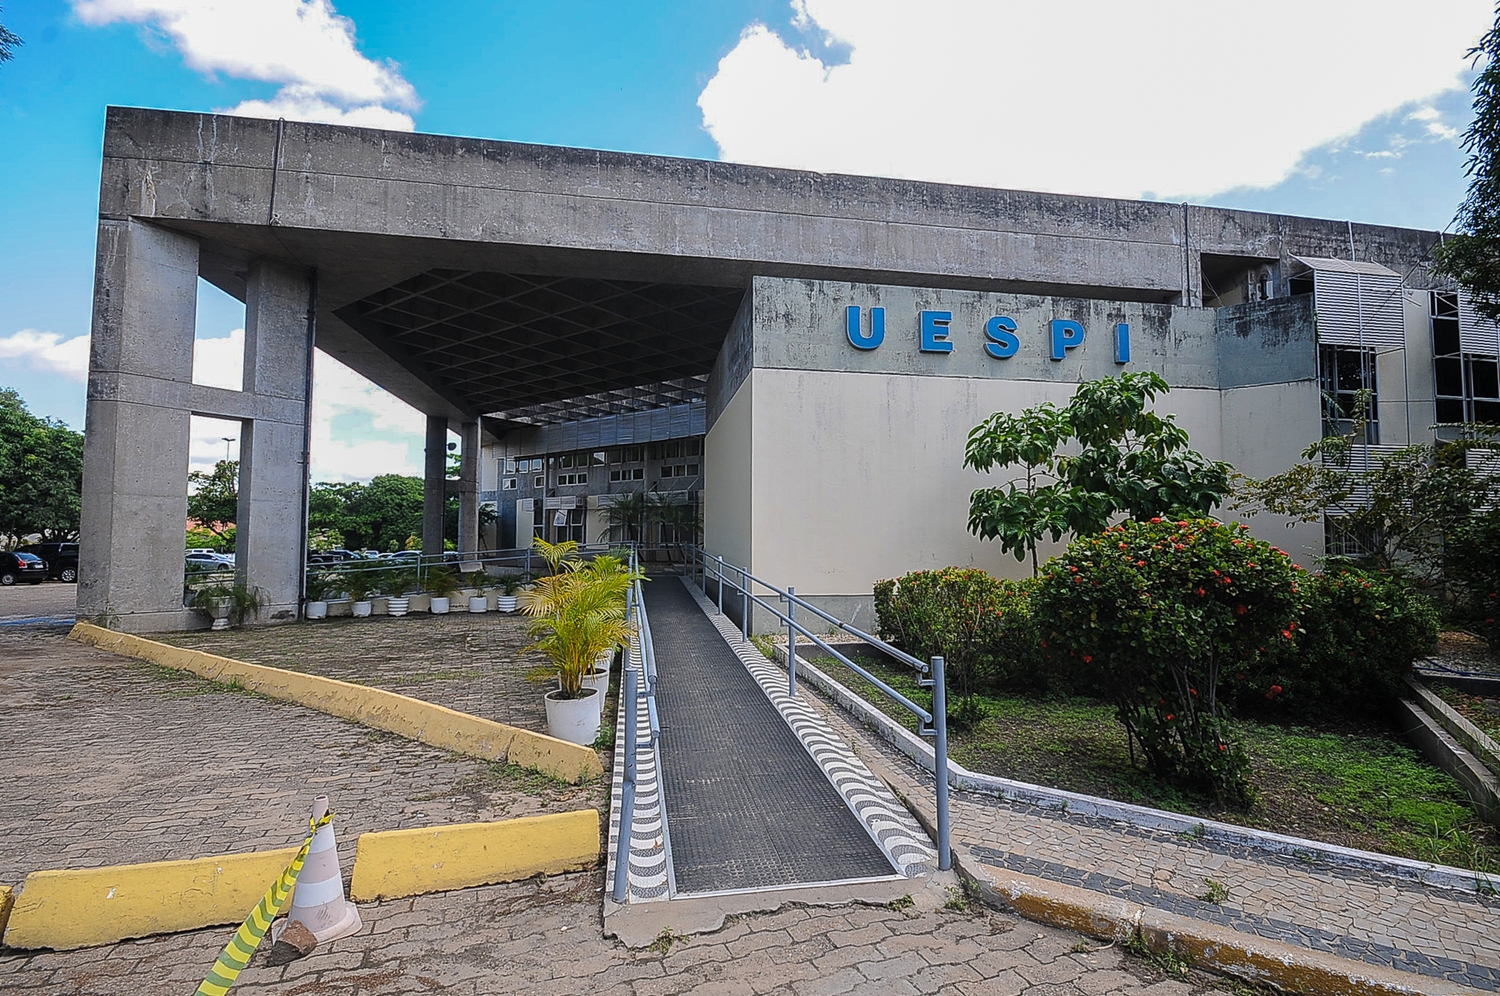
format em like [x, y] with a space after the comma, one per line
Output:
[434, 859]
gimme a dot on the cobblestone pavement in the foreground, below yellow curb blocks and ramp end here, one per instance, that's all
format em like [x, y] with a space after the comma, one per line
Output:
[544, 938]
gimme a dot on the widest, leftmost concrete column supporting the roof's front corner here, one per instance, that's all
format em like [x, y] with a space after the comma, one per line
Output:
[136, 452]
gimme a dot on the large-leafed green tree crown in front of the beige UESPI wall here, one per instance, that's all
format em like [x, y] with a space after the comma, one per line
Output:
[1129, 461]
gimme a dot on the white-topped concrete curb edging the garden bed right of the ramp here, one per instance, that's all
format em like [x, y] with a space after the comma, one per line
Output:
[961, 778]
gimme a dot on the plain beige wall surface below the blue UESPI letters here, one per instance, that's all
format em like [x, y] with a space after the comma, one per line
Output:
[853, 478]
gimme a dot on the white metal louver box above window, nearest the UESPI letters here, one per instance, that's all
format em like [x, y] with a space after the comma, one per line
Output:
[1358, 304]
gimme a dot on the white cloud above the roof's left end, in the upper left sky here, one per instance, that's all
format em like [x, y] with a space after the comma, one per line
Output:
[304, 46]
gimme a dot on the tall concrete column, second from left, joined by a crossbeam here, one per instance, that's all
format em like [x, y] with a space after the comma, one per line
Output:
[272, 524]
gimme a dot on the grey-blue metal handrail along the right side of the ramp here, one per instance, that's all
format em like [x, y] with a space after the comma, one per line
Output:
[931, 724]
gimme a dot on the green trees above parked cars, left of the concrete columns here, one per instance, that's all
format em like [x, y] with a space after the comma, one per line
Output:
[41, 475]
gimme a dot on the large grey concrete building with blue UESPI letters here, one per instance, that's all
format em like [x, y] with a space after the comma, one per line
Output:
[826, 341]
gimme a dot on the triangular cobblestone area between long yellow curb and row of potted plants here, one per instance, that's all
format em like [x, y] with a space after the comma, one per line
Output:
[467, 662]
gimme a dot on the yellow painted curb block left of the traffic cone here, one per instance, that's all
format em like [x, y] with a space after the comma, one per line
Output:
[80, 908]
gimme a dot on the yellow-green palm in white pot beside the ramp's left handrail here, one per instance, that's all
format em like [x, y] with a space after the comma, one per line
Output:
[580, 616]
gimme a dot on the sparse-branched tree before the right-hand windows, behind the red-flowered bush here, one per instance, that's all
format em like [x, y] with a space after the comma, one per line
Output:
[1402, 508]
